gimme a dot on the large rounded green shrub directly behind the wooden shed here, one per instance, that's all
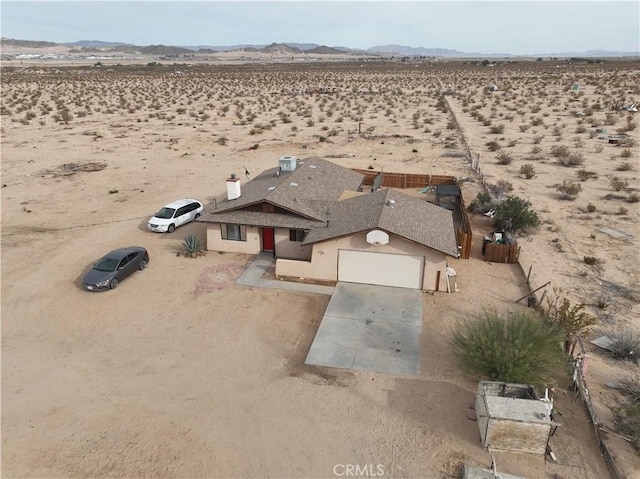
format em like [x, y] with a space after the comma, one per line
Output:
[518, 348]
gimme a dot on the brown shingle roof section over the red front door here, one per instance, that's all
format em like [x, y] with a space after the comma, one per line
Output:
[305, 191]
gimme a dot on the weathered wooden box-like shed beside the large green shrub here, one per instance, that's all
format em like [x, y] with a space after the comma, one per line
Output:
[512, 418]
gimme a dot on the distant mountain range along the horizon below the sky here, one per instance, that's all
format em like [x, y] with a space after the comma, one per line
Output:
[295, 48]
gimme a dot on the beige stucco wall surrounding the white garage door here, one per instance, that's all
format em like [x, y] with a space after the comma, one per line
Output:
[324, 259]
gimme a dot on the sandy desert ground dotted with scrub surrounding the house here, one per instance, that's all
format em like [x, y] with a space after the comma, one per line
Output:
[181, 373]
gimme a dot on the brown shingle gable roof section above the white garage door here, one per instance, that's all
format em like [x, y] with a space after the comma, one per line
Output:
[411, 218]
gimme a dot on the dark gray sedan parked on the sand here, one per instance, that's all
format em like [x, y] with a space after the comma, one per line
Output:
[114, 267]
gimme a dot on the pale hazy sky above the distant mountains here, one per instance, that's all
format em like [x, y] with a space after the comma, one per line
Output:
[513, 27]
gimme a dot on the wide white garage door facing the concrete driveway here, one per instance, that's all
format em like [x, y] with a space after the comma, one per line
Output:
[380, 268]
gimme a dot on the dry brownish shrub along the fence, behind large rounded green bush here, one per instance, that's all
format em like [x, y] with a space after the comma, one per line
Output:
[569, 318]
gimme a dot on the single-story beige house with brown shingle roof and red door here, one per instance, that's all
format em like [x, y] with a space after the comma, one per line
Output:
[315, 219]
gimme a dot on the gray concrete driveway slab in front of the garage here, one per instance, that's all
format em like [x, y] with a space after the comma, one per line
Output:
[370, 328]
